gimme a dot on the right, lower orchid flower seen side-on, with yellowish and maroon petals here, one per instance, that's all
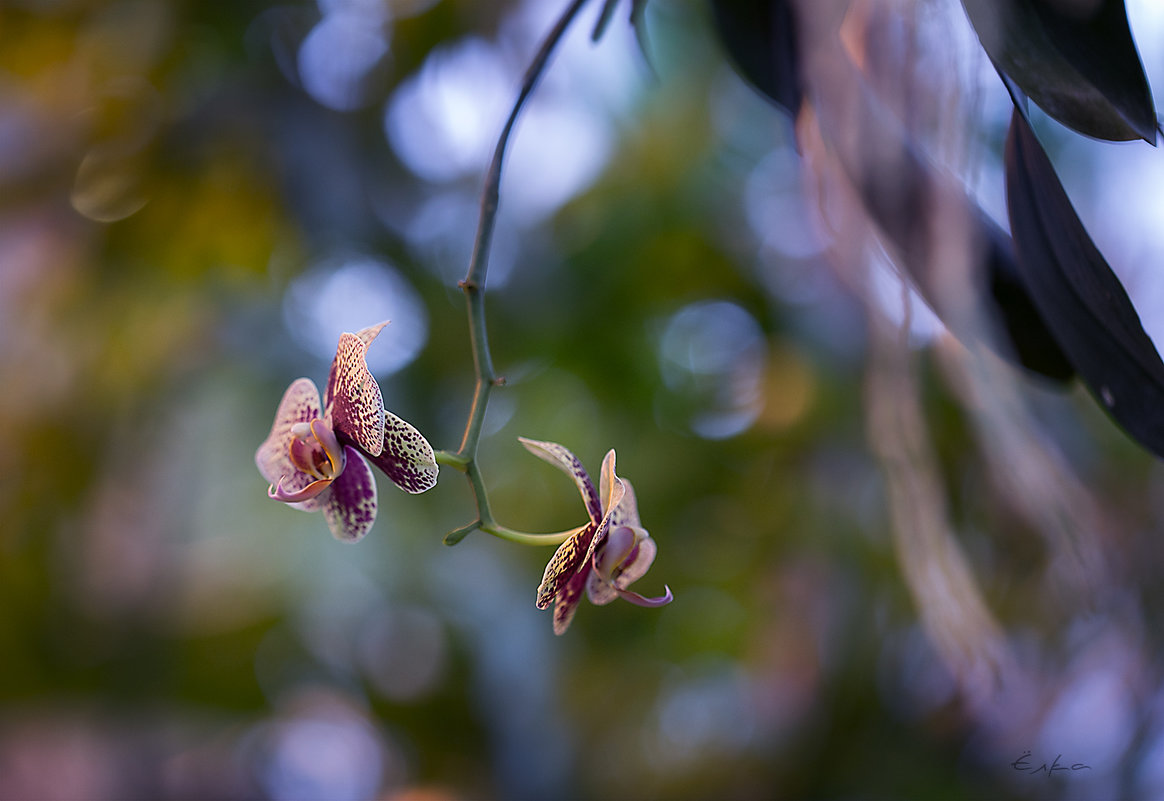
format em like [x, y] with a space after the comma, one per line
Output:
[607, 555]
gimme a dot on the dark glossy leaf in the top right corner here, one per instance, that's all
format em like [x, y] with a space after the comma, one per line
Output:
[1077, 61]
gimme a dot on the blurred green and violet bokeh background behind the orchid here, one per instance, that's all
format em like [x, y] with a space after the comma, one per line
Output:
[196, 199]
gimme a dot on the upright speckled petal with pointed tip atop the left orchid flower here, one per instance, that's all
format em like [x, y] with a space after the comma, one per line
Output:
[353, 403]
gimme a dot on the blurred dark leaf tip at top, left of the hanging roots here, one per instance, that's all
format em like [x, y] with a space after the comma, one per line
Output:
[761, 37]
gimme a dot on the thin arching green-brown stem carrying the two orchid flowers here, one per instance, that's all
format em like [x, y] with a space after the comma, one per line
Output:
[474, 288]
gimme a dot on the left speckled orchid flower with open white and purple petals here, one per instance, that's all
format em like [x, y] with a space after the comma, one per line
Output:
[317, 456]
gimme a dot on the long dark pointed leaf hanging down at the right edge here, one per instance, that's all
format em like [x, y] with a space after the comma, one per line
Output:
[1078, 295]
